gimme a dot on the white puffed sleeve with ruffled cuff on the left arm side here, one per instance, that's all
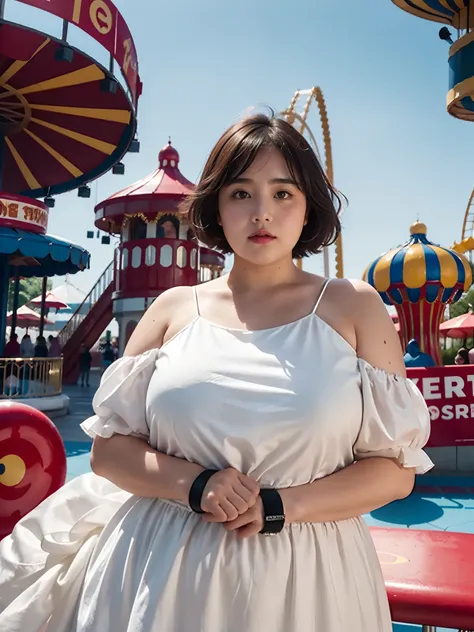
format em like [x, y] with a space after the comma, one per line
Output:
[119, 403]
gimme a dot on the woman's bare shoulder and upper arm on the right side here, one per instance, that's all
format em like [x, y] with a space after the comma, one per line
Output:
[363, 320]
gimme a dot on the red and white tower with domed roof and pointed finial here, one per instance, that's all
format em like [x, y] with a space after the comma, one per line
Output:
[157, 247]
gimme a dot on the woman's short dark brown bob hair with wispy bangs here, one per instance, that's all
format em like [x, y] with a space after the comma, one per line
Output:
[233, 154]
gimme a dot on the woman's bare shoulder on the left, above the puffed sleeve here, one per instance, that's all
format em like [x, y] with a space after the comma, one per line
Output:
[168, 308]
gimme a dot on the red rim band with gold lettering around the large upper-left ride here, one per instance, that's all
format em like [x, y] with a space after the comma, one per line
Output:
[102, 21]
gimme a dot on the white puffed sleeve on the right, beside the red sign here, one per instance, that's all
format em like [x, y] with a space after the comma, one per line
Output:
[395, 420]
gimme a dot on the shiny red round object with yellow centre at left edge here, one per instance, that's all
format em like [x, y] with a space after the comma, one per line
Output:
[32, 462]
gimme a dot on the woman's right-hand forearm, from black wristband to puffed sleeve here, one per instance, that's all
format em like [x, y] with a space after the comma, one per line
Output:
[357, 489]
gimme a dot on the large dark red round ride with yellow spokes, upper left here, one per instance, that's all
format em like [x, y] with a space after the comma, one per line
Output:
[64, 118]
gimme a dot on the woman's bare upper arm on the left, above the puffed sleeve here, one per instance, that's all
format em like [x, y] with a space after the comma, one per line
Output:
[153, 325]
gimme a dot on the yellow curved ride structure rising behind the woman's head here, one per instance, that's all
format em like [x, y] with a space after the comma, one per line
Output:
[297, 114]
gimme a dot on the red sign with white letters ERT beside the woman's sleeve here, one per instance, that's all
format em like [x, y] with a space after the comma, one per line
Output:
[449, 395]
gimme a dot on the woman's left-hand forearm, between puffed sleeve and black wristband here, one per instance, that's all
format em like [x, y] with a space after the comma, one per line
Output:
[134, 466]
